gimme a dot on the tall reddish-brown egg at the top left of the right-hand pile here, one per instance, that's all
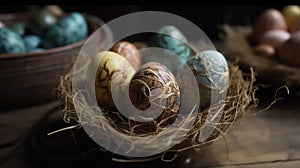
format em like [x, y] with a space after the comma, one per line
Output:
[270, 19]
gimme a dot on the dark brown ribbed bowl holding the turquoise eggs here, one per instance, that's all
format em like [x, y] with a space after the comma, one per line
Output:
[32, 78]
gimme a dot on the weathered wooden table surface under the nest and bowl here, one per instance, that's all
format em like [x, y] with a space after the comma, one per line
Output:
[267, 139]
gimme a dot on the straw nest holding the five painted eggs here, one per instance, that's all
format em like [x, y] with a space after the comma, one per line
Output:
[240, 99]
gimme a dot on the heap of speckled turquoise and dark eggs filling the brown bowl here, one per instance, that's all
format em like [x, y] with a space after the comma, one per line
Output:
[46, 28]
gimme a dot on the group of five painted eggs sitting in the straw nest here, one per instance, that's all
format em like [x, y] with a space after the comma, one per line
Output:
[150, 80]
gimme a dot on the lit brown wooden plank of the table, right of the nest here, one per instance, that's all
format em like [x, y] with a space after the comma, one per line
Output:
[270, 136]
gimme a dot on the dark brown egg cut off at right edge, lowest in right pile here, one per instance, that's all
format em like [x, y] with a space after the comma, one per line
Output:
[290, 50]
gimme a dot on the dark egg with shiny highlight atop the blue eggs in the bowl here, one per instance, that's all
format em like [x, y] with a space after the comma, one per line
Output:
[40, 21]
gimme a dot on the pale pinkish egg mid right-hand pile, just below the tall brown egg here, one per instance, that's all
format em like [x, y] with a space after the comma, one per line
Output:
[275, 38]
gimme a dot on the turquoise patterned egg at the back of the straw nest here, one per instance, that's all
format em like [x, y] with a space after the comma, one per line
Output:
[171, 38]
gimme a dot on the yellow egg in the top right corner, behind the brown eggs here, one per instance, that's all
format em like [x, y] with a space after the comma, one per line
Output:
[291, 13]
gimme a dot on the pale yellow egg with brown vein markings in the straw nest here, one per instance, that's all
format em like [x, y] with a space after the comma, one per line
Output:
[115, 67]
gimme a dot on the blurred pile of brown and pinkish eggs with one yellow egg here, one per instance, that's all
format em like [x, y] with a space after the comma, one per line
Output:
[276, 34]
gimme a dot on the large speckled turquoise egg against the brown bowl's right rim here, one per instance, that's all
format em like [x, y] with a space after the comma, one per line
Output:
[67, 30]
